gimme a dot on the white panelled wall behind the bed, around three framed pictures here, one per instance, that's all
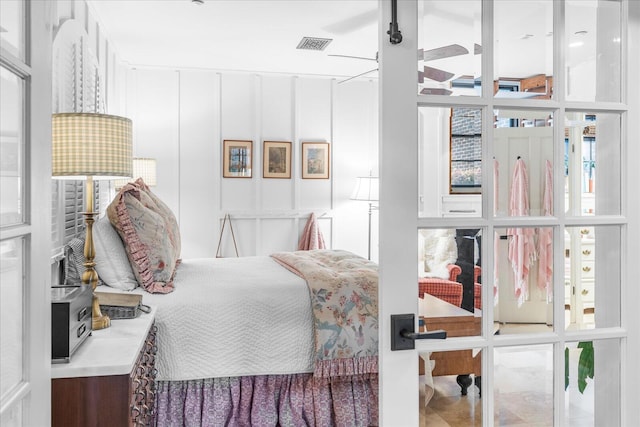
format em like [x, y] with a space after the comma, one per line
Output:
[181, 117]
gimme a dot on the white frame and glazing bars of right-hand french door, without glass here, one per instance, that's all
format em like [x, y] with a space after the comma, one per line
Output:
[399, 222]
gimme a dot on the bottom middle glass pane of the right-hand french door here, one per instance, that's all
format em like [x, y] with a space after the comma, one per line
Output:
[523, 389]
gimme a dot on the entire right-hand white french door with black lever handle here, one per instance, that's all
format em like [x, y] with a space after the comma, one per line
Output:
[504, 185]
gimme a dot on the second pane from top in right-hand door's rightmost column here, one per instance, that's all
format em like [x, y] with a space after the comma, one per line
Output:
[592, 163]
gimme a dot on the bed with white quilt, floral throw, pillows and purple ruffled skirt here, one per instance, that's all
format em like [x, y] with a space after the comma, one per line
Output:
[288, 339]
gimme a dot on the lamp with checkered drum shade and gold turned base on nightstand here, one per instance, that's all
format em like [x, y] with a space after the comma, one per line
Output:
[91, 146]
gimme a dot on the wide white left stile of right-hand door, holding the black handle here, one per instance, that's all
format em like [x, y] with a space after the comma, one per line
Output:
[398, 212]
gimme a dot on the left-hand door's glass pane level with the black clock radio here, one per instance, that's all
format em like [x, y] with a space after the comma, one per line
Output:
[11, 307]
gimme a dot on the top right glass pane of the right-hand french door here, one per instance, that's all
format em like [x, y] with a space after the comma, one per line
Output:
[594, 36]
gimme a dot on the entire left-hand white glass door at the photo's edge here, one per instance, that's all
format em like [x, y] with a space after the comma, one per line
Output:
[25, 174]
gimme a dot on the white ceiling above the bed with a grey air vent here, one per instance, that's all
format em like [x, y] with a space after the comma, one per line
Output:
[242, 35]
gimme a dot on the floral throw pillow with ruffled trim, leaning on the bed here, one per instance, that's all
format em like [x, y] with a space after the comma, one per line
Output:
[150, 235]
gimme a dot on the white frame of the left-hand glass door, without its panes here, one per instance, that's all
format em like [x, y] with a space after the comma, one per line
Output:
[29, 403]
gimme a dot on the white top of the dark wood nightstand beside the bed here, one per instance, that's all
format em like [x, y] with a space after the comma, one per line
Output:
[109, 351]
